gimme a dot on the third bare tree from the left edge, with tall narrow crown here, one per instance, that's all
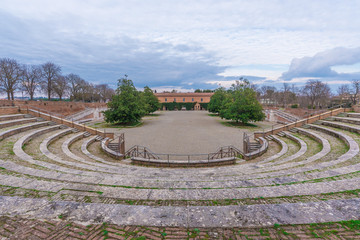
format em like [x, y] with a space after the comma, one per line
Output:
[50, 73]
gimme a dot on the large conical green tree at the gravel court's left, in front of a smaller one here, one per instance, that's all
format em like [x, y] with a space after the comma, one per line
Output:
[126, 105]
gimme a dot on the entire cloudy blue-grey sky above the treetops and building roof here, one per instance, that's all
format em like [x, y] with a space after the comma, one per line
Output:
[184, 45]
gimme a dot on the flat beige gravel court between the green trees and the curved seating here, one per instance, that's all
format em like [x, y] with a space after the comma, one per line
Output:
[183, 132]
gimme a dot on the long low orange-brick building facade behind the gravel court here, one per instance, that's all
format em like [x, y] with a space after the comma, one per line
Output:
[196, 98]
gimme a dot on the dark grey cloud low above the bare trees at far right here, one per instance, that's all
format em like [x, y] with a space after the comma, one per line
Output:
[320, 64]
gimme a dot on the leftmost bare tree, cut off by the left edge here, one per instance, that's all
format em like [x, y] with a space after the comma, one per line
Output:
[10, 76]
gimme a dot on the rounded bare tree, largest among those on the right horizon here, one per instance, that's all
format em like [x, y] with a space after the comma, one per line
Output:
[317, 92]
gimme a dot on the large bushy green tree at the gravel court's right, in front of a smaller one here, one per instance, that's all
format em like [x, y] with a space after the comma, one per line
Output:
[242, 104]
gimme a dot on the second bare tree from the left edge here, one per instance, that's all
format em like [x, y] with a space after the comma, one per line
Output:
[31, 79]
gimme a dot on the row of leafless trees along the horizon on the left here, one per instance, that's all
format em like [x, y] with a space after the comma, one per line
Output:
[48, 79]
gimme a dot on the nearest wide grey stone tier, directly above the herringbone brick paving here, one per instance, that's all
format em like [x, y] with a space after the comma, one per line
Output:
[192, 216]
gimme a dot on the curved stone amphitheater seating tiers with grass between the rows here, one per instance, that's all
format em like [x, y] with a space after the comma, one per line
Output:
[316, 170]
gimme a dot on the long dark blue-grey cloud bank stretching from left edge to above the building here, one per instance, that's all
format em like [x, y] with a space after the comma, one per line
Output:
[147, 62]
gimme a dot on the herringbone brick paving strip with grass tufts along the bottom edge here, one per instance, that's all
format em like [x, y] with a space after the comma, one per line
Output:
[22, 228]
